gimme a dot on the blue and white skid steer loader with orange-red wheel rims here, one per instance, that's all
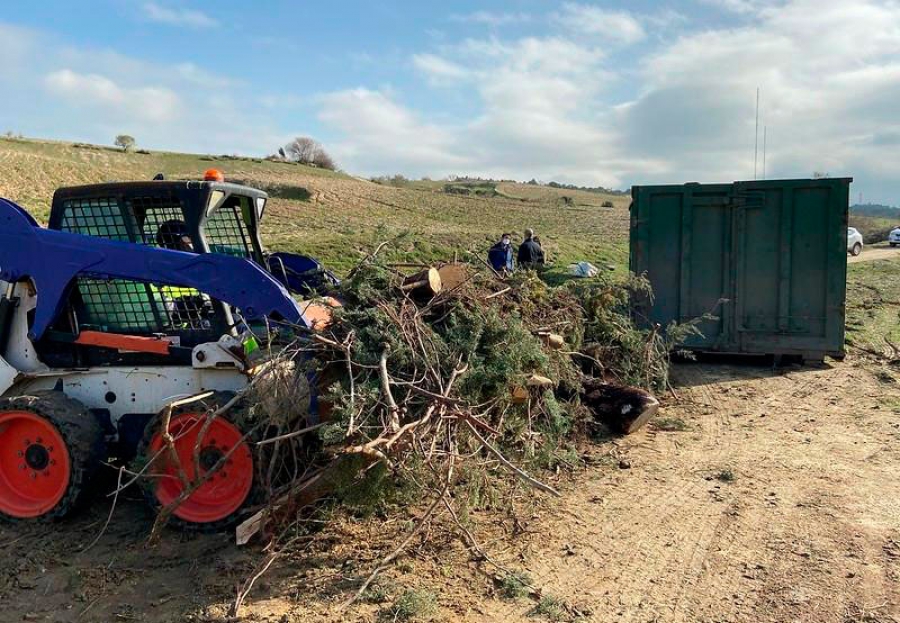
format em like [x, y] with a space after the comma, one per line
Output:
[136, 295]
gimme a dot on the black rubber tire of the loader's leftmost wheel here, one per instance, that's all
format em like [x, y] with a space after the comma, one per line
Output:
[84, 440]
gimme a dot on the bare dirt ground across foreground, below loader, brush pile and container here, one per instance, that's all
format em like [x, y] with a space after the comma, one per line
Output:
[779, 502]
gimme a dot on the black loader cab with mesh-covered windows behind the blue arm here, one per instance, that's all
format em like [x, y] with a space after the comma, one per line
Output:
[196, 216]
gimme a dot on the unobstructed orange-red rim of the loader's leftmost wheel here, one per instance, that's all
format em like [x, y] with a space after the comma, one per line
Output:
[35, 467]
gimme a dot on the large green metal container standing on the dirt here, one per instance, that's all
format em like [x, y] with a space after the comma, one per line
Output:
[766, 261]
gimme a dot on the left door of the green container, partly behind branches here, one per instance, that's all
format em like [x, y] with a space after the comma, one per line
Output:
[682, 238]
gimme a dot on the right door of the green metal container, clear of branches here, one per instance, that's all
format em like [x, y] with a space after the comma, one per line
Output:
[792, 262]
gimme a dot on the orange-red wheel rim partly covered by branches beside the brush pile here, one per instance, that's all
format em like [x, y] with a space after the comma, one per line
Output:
[224, 491]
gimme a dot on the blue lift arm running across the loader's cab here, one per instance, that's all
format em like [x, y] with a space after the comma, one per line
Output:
[53, 260]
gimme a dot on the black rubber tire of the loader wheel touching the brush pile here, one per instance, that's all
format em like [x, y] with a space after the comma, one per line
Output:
[218, 399]
